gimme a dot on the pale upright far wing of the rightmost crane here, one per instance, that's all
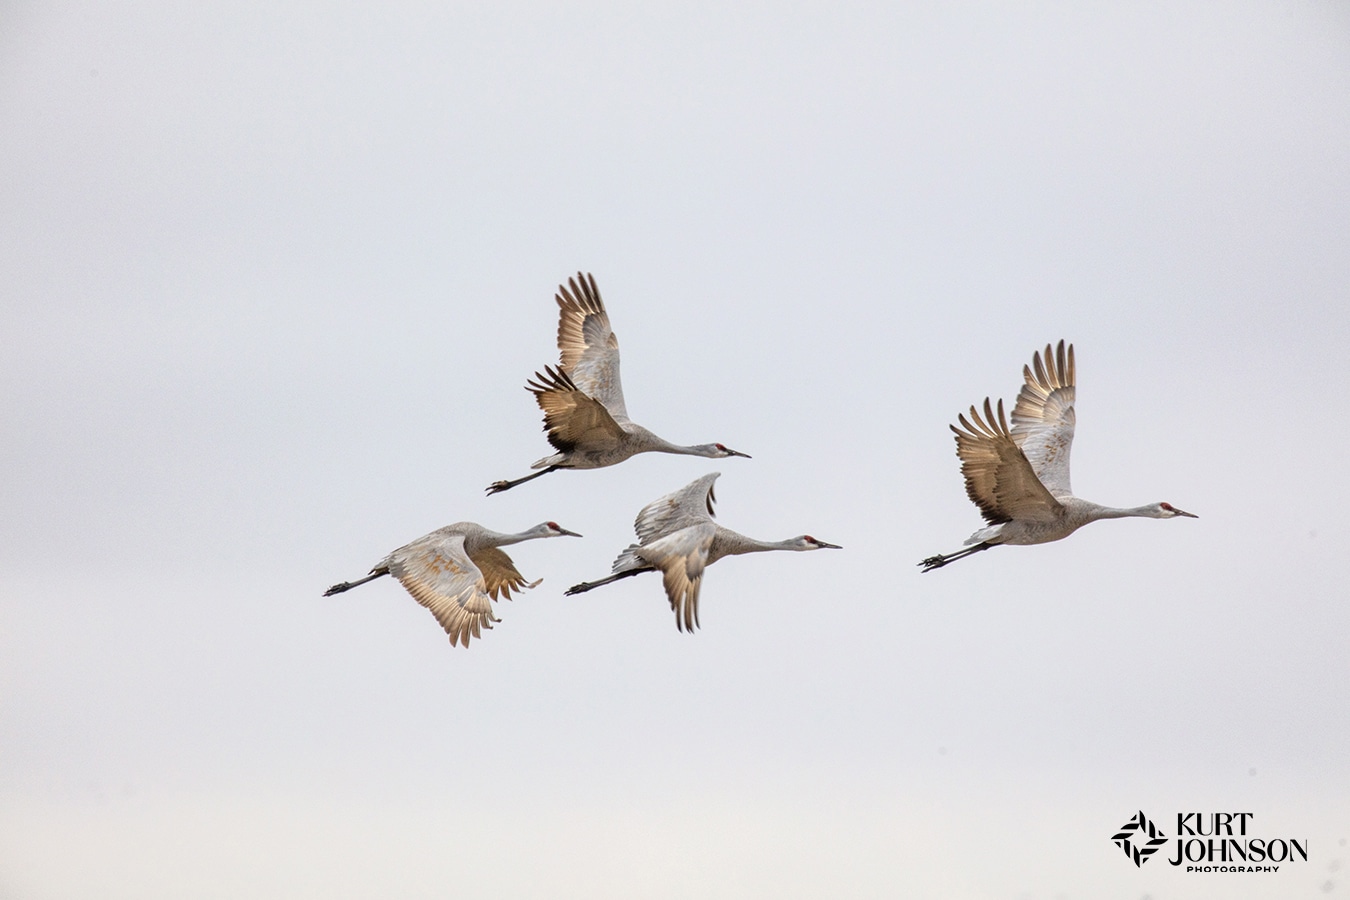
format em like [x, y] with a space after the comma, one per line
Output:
[1043, 419]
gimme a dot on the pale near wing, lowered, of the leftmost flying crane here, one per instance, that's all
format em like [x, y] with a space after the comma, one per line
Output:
[441, 577]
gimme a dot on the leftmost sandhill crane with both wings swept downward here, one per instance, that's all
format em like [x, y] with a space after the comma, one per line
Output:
[456, 570]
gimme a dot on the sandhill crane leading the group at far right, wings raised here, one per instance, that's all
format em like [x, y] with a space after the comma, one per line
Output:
[1020, 478]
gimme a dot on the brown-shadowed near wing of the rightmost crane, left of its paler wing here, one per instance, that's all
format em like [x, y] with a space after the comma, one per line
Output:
[998, 477]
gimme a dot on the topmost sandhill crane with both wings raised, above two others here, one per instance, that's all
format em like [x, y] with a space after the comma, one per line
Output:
[583, 399]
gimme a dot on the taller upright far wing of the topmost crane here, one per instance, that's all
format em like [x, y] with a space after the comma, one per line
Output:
[587, 343]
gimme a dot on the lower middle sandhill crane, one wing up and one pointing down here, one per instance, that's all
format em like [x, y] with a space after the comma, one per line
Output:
[678, 536]
